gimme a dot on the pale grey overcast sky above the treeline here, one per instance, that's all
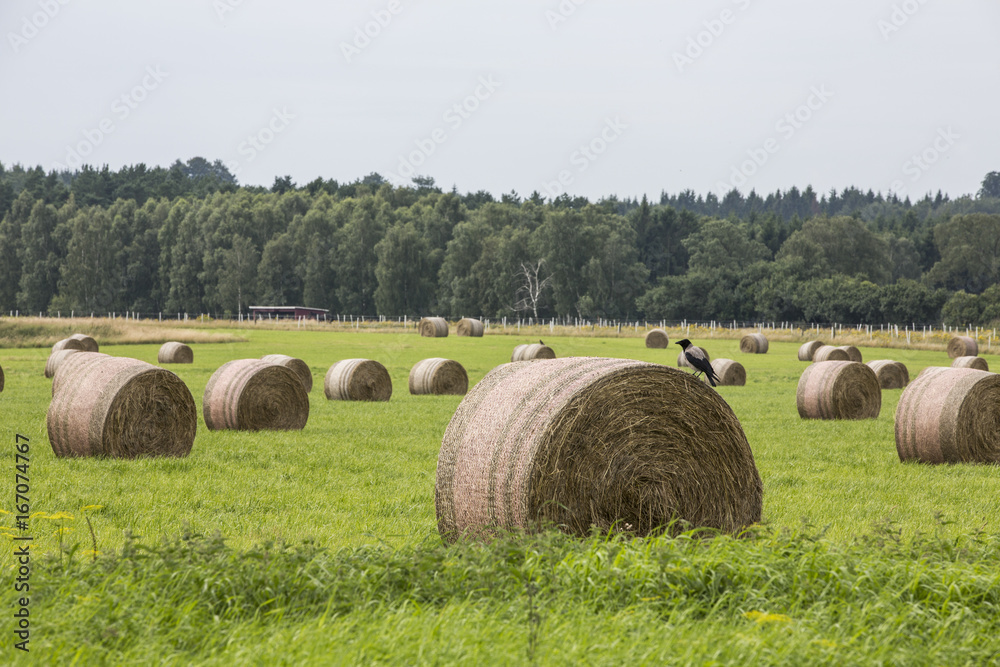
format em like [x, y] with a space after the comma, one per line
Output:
[592, 97]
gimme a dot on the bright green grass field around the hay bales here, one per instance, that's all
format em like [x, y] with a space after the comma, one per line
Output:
[860, 559]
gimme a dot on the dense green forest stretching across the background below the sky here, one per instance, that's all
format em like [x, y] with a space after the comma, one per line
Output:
[189, 238]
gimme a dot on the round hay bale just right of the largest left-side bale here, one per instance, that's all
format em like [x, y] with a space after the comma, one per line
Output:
[253, 395]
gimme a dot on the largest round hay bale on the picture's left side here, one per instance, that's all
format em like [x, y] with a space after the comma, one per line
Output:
[121, 408]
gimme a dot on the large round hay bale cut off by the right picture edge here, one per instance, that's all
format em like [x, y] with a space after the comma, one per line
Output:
[950, 415]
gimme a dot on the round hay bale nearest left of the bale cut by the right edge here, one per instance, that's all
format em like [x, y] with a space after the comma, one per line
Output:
[838, 390]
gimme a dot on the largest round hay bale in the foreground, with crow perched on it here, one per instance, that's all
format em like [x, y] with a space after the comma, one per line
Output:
[581, 442]
